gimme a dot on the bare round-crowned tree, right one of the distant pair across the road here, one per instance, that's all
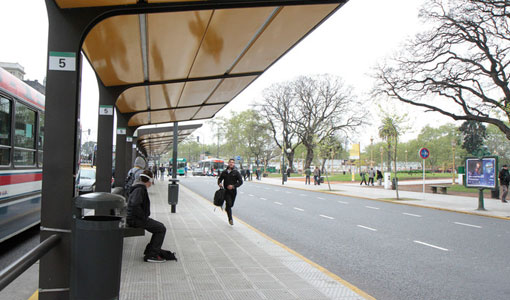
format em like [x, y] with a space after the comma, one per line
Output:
[324, 106]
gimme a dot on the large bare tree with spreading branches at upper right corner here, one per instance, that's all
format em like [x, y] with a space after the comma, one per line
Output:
[459, 67]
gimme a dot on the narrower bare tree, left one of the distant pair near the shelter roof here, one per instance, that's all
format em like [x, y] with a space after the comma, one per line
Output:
[277, 108]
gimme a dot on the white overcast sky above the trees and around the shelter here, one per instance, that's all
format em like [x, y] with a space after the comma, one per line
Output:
[348, 45]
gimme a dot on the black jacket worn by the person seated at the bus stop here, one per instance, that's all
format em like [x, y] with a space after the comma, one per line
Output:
[139, 205]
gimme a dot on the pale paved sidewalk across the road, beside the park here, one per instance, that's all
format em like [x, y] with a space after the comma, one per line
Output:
[494, 207]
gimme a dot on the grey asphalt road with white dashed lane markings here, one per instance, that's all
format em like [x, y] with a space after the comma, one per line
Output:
[390, 251]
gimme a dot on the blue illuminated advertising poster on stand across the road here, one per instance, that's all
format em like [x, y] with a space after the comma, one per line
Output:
[481, 172]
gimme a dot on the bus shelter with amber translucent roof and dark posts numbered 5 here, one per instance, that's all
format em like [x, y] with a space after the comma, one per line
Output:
[156, 62]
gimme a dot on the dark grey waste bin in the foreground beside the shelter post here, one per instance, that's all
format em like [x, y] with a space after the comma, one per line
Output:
[97, 242]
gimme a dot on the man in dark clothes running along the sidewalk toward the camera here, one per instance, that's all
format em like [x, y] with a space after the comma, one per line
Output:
[231, 179]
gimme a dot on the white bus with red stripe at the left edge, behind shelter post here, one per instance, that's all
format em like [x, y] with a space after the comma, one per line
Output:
[21, 145]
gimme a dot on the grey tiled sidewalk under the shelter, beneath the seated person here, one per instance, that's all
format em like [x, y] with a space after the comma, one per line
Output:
[219, 261]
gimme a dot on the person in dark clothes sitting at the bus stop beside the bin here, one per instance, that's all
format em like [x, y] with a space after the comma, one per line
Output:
[138, 215]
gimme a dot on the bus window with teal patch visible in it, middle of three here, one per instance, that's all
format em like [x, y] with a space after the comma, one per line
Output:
[24, 136]
